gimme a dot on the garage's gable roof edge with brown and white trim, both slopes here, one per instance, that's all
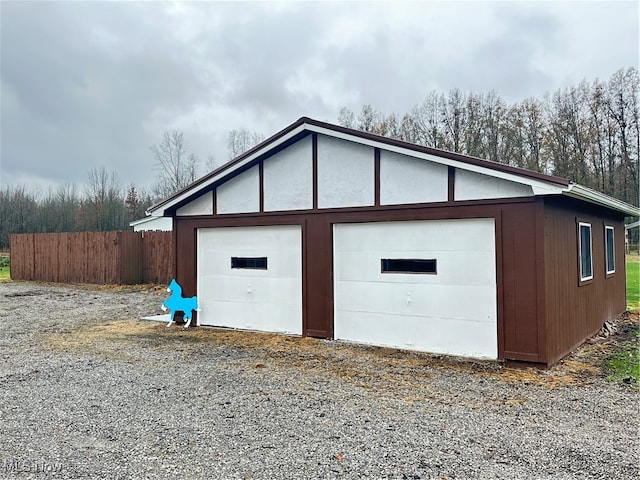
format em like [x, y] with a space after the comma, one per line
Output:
[541, 184]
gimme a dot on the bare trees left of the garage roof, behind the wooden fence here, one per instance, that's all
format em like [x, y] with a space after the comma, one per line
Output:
[101, 203]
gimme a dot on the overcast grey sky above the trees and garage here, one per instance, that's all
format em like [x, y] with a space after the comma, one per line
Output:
[91, 84]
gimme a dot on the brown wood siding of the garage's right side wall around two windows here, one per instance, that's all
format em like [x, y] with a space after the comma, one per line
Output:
[576, 311]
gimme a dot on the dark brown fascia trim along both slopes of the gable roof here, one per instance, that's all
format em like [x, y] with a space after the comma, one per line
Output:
[374, 138]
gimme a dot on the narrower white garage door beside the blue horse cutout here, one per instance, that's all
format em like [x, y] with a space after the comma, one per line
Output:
[251, 278]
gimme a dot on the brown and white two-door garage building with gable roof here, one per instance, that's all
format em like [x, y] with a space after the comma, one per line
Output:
[330, 232]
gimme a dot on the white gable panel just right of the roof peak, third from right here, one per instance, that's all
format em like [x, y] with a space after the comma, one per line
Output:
[345, 173]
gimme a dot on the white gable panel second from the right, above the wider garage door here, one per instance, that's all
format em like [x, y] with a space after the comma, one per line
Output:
[405, 180]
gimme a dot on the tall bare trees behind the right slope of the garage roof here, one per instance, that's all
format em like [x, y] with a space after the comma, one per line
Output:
[588, 133]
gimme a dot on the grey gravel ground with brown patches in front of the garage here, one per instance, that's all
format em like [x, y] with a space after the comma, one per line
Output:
[89, 391]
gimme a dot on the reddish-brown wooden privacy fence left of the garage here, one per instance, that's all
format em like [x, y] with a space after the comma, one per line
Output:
[123, 257]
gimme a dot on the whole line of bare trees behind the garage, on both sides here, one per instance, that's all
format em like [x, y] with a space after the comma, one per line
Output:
[588, 133]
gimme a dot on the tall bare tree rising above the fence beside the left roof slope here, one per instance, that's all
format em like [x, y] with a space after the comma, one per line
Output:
[176, 168]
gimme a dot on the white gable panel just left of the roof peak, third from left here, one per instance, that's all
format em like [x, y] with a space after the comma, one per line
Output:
[288, 178]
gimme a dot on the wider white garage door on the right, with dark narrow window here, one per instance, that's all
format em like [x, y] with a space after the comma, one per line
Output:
[423, 285]
